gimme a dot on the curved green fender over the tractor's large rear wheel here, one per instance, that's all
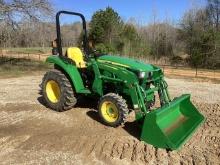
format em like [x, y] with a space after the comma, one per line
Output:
[72, 72]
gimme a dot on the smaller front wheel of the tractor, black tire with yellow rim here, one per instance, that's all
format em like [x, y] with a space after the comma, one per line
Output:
[113, 110]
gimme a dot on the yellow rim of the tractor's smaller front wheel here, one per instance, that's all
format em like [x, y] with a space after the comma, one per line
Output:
[109, 111]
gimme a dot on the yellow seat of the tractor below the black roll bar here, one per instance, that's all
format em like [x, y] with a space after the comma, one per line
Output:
[76, 55]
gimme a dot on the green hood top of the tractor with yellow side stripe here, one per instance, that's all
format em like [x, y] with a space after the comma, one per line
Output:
[127, 62]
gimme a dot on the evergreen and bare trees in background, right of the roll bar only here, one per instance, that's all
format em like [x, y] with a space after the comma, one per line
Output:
[196, 37]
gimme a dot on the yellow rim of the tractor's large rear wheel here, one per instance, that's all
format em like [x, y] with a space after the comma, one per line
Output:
[53, 91]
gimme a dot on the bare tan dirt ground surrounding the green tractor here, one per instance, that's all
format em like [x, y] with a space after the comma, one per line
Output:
[33, 134]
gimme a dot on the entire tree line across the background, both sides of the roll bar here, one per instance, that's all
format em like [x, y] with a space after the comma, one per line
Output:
[194, 41]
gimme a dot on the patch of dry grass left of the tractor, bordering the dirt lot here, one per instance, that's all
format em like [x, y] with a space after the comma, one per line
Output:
[13, 67]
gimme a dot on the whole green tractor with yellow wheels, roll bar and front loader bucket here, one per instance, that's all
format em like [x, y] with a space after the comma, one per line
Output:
[122, 85]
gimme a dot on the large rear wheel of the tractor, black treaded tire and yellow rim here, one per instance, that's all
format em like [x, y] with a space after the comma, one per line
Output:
[57, 91]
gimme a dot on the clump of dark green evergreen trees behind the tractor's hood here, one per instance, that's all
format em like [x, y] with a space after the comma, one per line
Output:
[110, 34]
